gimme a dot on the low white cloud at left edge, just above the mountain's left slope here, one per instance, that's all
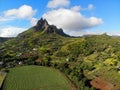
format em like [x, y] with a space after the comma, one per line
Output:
[11, 31]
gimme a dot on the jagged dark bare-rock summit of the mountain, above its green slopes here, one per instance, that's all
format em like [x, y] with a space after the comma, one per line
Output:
[42, 25]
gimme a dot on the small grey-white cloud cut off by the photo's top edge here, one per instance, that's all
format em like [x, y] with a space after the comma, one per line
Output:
[58, 3]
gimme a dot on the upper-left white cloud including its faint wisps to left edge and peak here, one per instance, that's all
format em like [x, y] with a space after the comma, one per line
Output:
[24, 12]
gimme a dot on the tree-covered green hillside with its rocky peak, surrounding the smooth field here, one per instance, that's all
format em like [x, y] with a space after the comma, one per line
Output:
[81, 59]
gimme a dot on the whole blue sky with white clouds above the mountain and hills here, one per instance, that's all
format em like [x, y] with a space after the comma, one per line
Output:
[75, 17]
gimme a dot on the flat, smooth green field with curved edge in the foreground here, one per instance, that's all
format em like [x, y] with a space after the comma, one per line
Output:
[35, 78]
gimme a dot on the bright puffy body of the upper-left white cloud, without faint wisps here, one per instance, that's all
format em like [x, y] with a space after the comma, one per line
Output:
[22, 12]
